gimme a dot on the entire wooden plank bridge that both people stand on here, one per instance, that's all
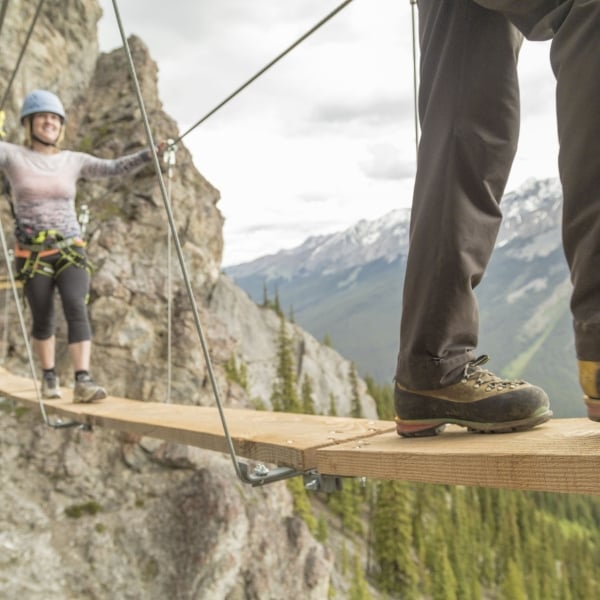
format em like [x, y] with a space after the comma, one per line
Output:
[562, 455]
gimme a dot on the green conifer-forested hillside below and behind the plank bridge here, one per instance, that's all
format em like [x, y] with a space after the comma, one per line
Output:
[447, 542]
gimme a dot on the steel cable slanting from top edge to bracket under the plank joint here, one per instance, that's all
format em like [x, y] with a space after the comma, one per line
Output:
[177, 245]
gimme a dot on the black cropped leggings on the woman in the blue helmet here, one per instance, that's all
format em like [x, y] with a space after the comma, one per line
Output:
[73, 285]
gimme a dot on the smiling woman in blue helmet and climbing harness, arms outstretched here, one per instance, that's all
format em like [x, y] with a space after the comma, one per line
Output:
[49, 250]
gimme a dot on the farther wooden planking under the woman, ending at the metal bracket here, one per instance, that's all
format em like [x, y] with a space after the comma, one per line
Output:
[283, 439]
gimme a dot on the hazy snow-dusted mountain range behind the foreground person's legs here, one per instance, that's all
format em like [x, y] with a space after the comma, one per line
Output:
[346, 288]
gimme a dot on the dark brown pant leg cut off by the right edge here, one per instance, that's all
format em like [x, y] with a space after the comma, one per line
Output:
[575, 56]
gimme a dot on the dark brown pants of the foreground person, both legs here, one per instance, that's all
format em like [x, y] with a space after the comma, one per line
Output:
[469, 111]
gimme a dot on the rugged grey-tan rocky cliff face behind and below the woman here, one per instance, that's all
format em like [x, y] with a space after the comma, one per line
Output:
[101, 515]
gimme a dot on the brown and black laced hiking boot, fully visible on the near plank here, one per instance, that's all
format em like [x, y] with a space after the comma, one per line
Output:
[480, 401]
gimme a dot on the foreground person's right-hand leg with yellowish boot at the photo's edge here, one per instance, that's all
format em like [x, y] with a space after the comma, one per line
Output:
[573, 26]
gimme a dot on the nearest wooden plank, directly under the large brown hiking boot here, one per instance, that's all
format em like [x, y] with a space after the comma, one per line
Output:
[562, 455]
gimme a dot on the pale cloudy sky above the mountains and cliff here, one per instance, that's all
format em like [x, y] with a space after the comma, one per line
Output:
[323, 139]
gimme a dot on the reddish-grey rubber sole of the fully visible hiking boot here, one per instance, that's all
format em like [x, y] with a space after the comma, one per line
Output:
[431, 427]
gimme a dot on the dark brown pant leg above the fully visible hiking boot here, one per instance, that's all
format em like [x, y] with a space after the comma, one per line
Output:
[469, 111]
